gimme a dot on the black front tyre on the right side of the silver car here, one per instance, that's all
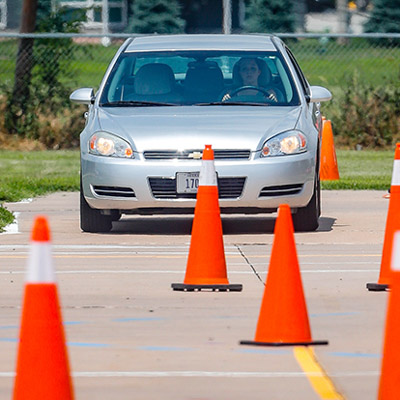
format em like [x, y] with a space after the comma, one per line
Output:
[306, 218]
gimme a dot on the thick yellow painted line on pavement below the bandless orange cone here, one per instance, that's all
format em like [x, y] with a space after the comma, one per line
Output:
[319, 380]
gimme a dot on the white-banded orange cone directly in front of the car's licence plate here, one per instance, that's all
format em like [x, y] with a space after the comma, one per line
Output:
[206, 266]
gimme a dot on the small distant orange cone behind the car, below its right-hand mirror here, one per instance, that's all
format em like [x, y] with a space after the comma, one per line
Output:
[329, 168]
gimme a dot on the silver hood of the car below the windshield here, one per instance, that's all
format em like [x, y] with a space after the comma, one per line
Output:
[192, 127]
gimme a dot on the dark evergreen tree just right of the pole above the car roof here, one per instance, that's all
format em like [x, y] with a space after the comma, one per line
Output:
[271, 16]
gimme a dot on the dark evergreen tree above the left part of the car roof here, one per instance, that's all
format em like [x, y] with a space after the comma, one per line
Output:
[156, 16]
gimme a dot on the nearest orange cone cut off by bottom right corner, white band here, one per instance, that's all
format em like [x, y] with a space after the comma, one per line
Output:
[389, 386]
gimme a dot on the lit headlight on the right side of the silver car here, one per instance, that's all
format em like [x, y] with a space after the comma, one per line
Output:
[291, 142]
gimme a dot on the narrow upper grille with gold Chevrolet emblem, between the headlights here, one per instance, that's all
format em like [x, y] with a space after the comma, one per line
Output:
[191, 154]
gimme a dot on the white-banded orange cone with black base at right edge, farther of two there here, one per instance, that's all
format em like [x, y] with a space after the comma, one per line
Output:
[392, 225]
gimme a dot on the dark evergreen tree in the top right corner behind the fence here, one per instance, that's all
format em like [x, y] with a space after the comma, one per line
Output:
[384, 17]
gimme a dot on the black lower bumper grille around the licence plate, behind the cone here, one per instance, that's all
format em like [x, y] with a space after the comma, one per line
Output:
[165, 188]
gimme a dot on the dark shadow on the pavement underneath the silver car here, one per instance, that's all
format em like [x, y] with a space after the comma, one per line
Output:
[172, 225]
